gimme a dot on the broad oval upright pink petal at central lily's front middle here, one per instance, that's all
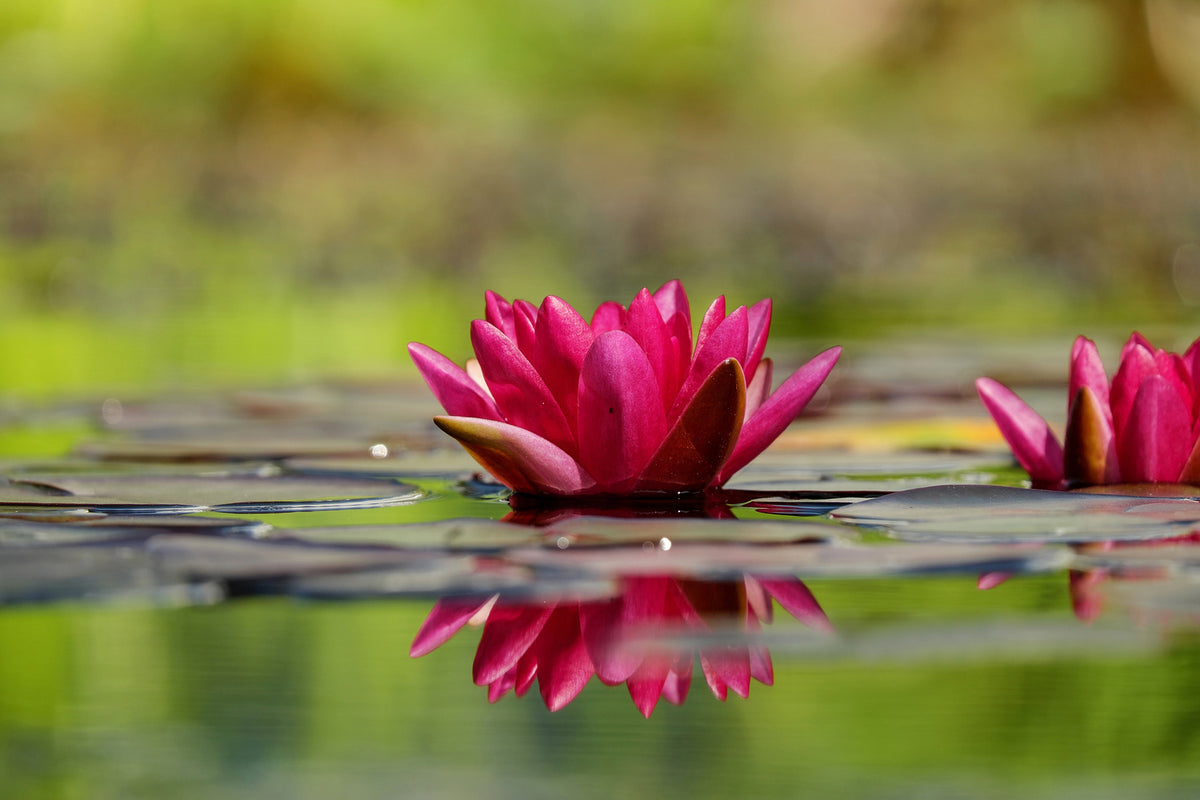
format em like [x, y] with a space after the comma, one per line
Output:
[621, 412]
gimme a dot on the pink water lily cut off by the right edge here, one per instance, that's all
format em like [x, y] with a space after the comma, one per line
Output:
[1141, 429]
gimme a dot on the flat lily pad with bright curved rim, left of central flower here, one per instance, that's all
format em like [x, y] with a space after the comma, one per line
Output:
[190, 494]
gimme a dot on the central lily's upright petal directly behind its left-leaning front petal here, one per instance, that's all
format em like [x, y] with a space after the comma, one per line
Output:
[563, 339]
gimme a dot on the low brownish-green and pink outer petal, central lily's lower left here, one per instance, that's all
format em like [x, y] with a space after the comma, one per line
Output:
[519, 459]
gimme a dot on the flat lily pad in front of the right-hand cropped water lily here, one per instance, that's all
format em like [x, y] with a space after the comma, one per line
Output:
[999, 514]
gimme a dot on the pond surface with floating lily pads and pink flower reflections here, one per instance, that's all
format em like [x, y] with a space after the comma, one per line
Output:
[259, 596]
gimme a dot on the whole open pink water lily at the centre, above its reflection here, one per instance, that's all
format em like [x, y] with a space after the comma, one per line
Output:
[623, 405]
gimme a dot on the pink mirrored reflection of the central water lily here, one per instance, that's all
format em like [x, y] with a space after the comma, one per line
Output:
[637, 637]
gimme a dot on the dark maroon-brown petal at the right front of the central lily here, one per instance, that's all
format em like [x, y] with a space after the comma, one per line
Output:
[701, 441]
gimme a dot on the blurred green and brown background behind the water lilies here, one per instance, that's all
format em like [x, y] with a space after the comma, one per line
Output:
[223, 193]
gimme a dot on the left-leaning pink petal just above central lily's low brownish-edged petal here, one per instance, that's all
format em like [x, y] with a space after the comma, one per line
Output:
[520, 393]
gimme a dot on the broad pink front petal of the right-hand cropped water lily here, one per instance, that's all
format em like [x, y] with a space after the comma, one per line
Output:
[1157, 440]
